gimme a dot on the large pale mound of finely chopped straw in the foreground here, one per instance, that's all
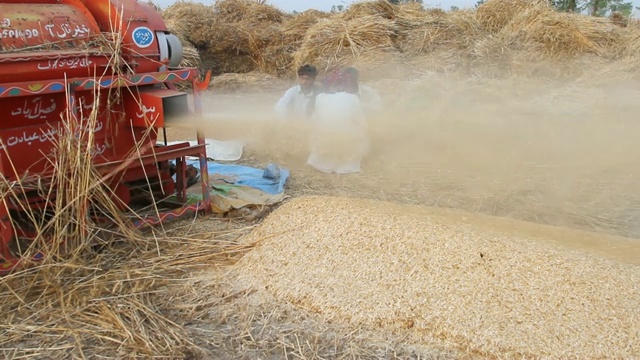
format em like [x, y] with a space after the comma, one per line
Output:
[445, 279]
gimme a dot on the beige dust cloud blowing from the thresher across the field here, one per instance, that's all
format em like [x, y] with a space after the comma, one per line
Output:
[548, 151]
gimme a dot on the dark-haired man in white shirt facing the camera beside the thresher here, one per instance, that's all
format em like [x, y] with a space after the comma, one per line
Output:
[298, 102]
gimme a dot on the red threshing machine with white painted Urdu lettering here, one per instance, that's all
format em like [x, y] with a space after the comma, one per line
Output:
[53, 58]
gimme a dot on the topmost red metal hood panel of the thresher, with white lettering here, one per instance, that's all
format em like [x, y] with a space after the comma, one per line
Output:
[46, 41]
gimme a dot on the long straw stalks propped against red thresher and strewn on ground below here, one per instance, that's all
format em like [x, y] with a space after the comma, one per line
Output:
[98, 292]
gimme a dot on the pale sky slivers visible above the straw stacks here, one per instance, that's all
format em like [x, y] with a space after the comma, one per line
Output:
[325, 5]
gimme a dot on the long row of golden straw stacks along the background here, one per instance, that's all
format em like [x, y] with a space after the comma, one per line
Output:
[241, 36]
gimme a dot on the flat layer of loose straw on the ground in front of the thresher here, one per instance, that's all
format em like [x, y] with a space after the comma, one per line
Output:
[126, 300]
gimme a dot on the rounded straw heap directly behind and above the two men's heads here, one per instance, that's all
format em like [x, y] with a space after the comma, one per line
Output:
[337, 42]
